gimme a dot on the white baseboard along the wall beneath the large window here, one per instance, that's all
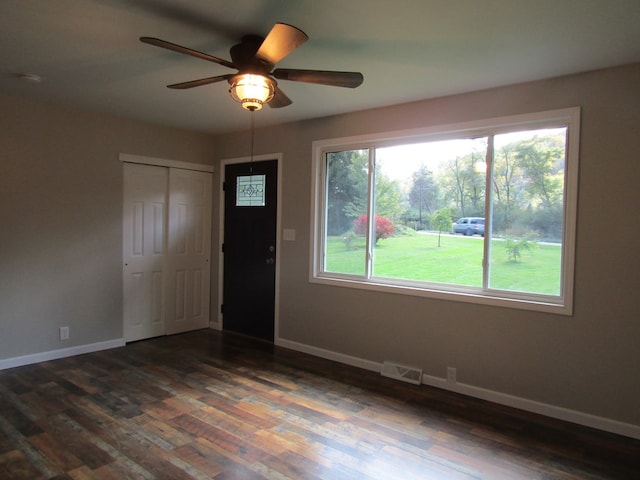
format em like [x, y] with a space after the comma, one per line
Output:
[553, 411]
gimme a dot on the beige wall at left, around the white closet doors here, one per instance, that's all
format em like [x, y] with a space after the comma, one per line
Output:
[61, 220]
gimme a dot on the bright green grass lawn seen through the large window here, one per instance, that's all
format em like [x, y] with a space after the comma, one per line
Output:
[458, 260]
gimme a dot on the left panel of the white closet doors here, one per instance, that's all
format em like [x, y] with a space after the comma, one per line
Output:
[144, 213]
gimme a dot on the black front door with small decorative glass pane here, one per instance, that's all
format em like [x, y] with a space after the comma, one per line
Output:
[250, 217]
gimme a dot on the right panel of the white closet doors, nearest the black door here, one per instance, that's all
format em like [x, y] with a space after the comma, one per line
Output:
[188, 253]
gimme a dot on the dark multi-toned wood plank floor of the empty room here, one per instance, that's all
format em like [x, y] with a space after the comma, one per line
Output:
[205, 405]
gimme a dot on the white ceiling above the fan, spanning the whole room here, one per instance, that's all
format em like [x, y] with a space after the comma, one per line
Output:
[88, 53]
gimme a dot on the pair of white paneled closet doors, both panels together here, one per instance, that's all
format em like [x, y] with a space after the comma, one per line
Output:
[166, 250]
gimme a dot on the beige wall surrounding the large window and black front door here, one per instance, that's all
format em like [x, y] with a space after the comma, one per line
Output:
[587, 362]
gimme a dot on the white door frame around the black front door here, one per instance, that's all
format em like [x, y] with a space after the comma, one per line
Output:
[221, 205]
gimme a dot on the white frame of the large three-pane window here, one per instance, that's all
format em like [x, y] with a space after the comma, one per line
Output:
[561, 304]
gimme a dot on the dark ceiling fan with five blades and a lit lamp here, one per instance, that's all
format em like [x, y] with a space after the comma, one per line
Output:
[255, 57]
